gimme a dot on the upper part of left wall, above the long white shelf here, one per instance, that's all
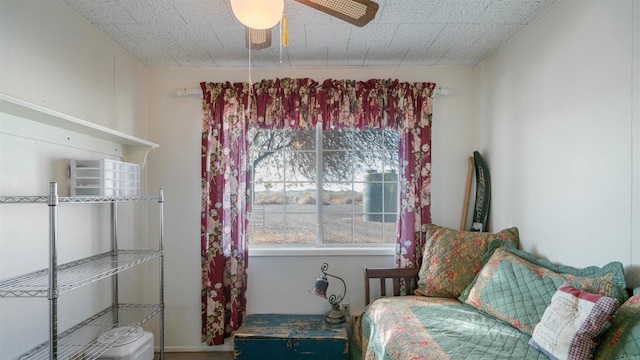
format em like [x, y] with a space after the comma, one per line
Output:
[52, 57]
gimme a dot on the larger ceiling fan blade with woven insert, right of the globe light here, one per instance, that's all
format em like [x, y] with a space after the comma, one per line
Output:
[356, 12]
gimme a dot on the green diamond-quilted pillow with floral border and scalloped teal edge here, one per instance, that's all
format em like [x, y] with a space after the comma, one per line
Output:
[517, 290]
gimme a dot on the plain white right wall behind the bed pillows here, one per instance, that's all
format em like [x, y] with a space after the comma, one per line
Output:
[558, 116]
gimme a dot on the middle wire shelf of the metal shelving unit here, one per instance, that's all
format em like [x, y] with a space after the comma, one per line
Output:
[75, 274]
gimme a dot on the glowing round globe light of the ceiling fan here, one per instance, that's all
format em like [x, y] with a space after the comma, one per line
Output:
[258, 14]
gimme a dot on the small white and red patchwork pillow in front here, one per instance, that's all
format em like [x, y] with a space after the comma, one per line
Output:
[571, 323]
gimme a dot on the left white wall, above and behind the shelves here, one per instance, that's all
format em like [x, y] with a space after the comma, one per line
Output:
[51, 57]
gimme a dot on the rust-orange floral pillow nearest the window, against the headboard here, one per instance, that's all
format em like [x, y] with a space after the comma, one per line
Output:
[453, 258]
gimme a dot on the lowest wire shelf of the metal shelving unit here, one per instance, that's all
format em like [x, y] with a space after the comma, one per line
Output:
[81, 341]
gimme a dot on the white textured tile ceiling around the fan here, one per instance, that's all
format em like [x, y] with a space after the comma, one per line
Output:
[403, 33]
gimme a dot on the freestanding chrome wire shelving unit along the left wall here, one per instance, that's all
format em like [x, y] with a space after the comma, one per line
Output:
[82, 340]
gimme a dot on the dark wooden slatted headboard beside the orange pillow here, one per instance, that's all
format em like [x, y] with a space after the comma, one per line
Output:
[410, 276]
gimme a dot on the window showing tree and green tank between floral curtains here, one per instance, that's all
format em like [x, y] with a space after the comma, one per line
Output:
[353, 172]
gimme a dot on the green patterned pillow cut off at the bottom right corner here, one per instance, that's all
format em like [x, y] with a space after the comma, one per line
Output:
[622, 339]
